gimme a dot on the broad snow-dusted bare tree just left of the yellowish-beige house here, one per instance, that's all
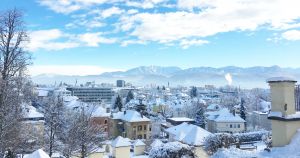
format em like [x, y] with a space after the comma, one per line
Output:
[83, 135]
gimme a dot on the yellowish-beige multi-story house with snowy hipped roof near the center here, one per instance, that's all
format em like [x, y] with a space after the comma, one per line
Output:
[130, 124]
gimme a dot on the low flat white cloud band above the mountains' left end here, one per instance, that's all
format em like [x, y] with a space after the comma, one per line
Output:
[68, 70]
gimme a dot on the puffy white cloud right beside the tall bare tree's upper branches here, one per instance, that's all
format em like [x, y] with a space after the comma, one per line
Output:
[47, 39]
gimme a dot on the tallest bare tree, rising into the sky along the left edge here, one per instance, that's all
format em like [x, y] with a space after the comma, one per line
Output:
[13, 62]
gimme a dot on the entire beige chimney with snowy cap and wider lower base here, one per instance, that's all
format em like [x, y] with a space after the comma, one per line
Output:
[284, 118]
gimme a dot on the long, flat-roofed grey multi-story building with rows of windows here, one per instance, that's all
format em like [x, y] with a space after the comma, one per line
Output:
[92, 94]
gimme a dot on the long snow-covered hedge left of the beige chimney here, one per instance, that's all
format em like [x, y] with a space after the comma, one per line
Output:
[224, 140]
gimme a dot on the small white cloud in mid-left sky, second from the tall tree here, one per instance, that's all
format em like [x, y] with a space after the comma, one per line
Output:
[94, 39]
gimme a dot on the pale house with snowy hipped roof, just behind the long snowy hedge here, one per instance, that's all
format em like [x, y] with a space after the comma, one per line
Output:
[224, 121]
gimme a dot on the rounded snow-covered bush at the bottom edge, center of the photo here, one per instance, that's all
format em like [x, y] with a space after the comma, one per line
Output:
[171, 150]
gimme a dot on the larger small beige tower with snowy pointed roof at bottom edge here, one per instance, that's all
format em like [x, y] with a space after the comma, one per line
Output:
[121, 148]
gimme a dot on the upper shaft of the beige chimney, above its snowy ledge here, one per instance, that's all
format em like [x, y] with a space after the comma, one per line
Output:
[282, 95]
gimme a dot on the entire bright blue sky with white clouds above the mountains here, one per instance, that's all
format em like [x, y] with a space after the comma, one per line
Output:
[93, 36]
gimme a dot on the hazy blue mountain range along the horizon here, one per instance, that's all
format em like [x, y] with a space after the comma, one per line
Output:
[199, 76]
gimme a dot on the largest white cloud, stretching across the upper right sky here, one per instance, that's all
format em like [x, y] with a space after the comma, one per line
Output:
[216, 16]
